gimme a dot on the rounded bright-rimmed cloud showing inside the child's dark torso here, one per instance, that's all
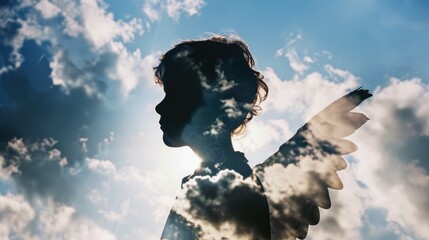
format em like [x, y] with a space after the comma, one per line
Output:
[219, 206]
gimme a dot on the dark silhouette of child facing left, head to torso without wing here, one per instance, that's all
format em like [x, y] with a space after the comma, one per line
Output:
[211, 92]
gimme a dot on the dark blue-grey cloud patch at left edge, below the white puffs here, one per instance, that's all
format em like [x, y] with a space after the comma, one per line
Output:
[32, 114]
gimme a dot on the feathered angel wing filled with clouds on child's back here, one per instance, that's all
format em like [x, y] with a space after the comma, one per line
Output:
[296, 178]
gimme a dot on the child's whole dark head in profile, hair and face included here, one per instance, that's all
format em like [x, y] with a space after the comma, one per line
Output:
[210, 88]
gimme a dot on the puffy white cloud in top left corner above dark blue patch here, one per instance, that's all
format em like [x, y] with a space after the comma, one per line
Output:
[101, 57]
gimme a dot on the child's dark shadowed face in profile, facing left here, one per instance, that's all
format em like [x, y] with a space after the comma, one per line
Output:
[189, 112]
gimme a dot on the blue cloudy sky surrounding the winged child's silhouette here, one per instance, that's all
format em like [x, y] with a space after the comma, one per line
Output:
[81, 152]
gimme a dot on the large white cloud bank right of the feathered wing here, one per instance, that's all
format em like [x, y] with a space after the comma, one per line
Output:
[390, 164]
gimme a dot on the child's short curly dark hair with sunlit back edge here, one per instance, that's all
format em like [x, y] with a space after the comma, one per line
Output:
[208, 53]
